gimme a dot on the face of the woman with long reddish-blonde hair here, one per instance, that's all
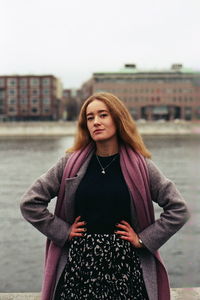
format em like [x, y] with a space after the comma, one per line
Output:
[100, 122]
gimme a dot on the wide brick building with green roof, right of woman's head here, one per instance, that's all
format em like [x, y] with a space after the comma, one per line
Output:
[151, 94]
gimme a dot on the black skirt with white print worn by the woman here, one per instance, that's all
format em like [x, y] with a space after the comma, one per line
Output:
[101, 266]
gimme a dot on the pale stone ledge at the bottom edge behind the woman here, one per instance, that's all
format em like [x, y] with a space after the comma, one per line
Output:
[176, 294]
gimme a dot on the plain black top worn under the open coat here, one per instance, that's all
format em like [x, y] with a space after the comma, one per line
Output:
[102, 200]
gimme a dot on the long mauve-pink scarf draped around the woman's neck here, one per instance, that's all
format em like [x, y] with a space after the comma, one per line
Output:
[135, 172]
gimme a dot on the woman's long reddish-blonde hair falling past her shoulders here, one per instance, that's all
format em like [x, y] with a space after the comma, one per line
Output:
[126, 127]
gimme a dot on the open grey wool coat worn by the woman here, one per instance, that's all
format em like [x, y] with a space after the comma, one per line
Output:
[34, 208]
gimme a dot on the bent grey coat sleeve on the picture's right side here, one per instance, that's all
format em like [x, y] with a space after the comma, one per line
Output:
[175, 212]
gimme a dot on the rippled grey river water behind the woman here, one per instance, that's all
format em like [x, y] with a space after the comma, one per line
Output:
[22, 246]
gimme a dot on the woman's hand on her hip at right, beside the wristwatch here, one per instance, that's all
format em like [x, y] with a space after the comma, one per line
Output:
[128, 233]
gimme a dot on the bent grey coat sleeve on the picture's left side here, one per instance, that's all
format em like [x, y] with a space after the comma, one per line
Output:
[35, 201]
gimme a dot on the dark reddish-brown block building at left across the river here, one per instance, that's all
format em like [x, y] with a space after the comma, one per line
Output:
[30, 97]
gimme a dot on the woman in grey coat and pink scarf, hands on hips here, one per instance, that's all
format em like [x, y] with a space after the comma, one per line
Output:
[103, 239]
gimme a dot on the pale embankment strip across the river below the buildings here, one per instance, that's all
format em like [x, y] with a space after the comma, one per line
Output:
[56, 129]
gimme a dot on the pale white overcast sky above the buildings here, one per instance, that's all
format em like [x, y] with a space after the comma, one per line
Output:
[73, 39]
